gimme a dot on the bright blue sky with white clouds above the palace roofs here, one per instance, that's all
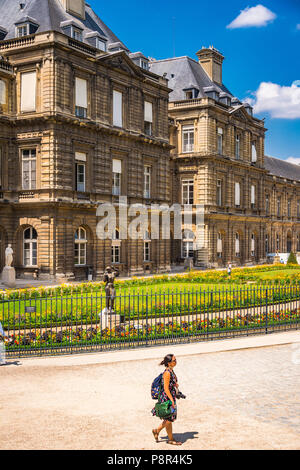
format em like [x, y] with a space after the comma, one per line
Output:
[261, 48]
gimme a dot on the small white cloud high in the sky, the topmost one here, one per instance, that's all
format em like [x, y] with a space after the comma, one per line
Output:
[255, 16]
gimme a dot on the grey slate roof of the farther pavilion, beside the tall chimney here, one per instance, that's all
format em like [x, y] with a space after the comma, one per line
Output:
[185, 73]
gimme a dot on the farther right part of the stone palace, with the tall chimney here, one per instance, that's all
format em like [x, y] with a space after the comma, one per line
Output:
[251, 202]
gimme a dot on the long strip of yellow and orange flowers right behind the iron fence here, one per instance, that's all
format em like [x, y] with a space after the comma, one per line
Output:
[89, 336]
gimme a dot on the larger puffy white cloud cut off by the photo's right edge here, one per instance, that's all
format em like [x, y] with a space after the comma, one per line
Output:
[279, 101]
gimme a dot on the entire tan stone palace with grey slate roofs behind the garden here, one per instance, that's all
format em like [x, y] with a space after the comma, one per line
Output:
[83, 121]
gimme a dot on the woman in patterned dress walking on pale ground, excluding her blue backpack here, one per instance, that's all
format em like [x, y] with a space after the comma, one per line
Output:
[168, 392]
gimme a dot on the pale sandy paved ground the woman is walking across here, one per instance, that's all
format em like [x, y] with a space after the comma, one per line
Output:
[237, 399]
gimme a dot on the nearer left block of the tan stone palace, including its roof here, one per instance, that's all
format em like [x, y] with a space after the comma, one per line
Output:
[82, 122]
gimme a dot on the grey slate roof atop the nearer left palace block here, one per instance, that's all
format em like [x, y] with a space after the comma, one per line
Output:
[49, 14]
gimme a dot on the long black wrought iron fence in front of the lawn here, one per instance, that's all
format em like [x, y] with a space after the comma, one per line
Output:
[58, 324]
